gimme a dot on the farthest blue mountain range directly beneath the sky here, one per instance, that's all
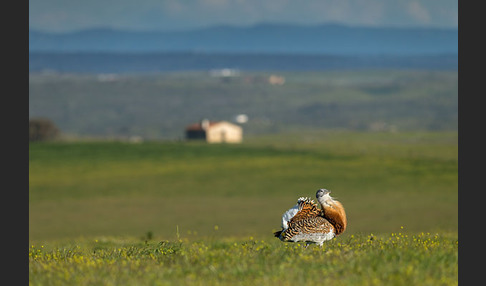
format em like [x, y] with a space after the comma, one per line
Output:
[326, 39]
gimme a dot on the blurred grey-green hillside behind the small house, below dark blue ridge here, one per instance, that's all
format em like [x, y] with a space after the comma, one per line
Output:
[160, 106]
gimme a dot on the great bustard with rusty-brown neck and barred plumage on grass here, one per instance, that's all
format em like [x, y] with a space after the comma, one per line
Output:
[307, 222]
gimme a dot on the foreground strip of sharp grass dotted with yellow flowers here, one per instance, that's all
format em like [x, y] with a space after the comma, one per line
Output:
[393, 259]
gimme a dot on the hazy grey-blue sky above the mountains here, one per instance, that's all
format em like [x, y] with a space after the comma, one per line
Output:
[67, 15]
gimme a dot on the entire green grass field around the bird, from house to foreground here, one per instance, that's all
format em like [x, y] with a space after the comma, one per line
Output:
[174, 213]
